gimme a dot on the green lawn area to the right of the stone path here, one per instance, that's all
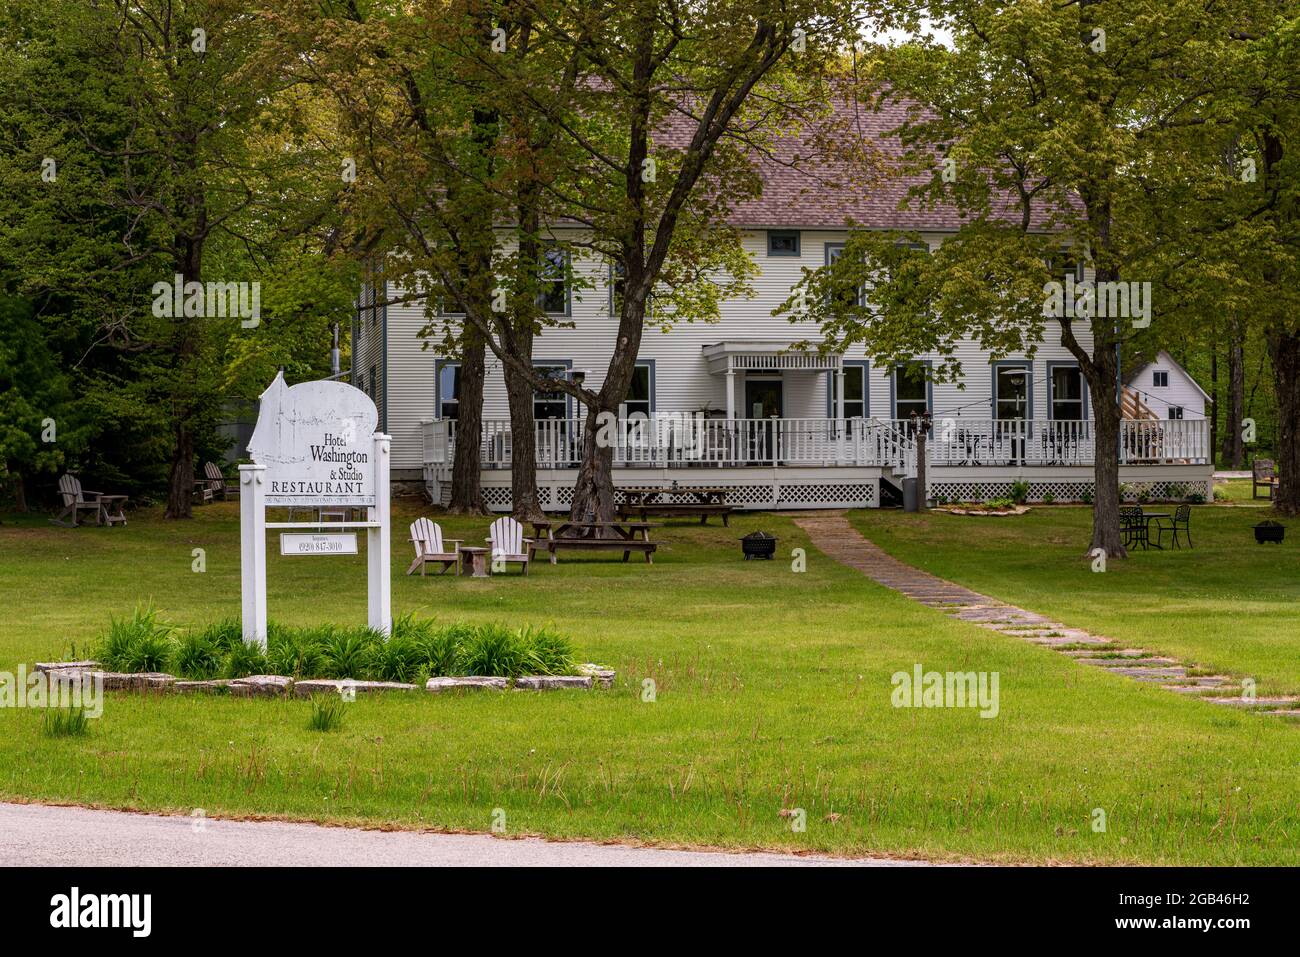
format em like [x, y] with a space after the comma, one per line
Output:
[1228, 604]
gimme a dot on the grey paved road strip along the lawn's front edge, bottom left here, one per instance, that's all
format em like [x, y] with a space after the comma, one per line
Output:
[40, 835]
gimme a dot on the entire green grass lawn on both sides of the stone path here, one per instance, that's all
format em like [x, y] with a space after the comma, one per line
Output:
[773, 692]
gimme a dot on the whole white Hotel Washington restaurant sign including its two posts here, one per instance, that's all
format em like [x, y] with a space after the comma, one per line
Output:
[315, 447]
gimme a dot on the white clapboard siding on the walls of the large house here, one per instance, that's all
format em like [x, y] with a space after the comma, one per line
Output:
[682, 379]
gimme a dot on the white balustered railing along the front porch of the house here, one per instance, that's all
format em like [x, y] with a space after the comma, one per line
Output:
[683, 441]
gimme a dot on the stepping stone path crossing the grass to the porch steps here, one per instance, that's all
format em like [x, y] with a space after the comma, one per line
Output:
[833, 534]
